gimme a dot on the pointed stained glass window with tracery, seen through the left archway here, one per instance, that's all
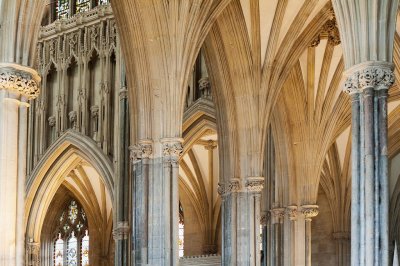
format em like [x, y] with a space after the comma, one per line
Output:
[71, 246]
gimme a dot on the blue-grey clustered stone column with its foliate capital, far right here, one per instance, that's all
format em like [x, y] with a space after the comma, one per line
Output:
[368, 85]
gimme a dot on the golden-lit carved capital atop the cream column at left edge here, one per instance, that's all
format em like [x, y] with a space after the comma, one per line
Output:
[19, 79]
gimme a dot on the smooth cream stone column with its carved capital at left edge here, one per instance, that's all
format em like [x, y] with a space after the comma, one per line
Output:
[18, 84]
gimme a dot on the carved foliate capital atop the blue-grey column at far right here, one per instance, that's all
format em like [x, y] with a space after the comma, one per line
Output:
[376, 75]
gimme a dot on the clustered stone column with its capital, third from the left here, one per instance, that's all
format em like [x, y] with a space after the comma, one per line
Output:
[241, 221]
